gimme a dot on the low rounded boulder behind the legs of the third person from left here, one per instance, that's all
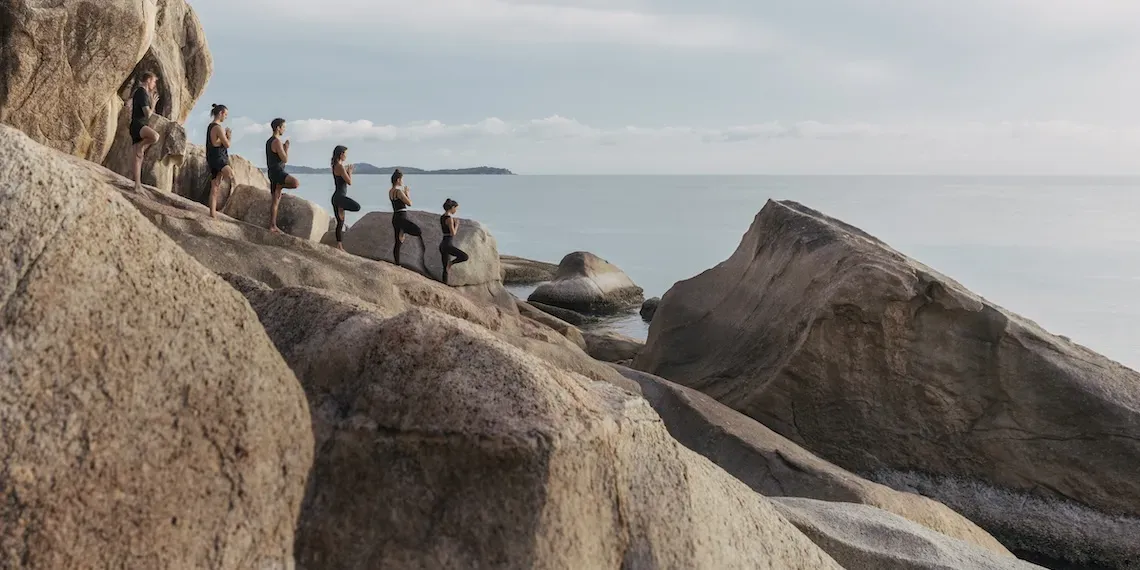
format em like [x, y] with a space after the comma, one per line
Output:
[296, 216]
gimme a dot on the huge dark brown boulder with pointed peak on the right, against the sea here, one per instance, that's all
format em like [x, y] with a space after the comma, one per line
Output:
[881, 364]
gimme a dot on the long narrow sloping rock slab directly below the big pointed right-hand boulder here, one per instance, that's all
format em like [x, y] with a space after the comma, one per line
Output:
[775, 467]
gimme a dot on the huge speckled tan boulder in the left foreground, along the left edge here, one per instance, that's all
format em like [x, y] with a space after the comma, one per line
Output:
[149, 422]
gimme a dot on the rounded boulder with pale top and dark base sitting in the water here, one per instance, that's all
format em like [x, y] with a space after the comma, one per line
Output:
[587, 283]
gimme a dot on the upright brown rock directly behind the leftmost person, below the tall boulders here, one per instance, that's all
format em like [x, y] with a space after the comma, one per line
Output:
[161, 160]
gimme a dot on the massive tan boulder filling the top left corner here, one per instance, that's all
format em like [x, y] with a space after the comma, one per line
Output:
[62, 66]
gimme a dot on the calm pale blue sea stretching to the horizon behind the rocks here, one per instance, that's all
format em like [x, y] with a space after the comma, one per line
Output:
[1062, 251]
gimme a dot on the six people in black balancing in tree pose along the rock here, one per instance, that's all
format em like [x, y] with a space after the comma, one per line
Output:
[144, 101]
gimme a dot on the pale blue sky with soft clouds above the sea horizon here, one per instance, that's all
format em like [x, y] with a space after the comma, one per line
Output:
[710, 87]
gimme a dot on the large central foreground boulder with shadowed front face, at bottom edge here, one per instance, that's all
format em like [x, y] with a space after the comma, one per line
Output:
[443, 447]
